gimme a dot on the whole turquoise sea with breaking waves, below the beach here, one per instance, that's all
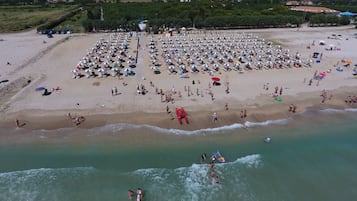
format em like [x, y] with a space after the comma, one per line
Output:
[312, 156]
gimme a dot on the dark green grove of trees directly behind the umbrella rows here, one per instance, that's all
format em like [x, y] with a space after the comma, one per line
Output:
[199, 13]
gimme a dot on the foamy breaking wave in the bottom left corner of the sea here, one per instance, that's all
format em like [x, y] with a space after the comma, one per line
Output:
[35, 183]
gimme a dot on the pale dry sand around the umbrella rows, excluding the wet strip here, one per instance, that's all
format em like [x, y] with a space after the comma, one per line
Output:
[51, 67]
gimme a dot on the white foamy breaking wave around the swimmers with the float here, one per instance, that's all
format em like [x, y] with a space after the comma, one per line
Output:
[194, 182]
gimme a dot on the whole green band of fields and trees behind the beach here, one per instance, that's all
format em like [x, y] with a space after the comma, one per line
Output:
[85, 15]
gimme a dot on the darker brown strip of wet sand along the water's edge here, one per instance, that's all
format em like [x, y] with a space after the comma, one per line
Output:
[201, 118]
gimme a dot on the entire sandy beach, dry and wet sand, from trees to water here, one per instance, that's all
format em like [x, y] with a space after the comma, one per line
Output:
[29, 61]
